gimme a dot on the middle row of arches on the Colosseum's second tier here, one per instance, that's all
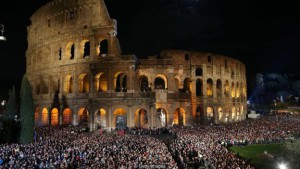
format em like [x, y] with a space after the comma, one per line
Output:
[101, 83]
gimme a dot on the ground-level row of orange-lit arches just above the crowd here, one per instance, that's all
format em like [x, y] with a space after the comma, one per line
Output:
[100, 119]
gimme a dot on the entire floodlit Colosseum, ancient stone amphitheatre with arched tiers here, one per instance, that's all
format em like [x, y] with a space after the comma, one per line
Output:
[79, 75]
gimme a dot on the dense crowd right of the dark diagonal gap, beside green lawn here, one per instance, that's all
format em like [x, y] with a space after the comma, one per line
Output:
[206, 145]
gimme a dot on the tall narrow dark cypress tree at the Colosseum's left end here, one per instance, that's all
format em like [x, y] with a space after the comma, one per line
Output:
[26, 112]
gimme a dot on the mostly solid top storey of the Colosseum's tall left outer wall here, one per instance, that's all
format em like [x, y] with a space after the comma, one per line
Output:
[63, 16]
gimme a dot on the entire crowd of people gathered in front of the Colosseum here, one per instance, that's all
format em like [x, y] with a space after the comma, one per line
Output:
[195, 146]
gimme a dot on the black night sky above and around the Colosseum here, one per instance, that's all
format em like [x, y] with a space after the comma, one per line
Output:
[262, 35]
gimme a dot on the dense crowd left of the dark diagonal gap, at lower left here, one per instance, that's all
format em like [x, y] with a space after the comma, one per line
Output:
[71, 148]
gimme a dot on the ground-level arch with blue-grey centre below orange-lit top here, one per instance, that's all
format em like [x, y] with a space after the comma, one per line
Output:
[120, 119]
